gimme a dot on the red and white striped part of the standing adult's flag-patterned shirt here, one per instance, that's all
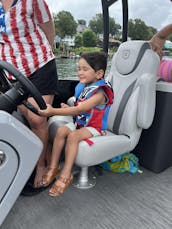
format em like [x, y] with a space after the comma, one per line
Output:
[24, 44]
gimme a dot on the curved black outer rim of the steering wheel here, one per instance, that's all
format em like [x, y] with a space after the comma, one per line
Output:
[25, 82]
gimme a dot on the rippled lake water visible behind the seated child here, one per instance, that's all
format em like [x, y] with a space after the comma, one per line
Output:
[67, 68]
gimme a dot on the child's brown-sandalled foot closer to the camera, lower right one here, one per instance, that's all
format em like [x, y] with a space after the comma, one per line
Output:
[60, 185]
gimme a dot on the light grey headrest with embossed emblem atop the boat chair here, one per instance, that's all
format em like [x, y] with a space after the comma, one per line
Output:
[129, 56]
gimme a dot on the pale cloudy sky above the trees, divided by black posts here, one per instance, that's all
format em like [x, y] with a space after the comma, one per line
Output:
[155, 13]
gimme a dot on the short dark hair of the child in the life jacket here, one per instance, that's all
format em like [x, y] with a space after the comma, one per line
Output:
[97, 60]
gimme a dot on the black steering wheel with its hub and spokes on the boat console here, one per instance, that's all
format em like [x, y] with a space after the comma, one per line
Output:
[14, 93]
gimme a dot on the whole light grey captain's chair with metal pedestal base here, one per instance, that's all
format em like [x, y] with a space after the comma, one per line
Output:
[133, 76]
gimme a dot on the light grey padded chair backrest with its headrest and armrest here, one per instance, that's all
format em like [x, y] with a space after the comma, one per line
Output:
[133, 76]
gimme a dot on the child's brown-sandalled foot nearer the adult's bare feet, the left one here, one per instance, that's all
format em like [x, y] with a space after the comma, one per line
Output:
[49, 175]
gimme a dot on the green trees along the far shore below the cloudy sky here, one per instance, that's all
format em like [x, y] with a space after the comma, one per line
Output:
[65, 25]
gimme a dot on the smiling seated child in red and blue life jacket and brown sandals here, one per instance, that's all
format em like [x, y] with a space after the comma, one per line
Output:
[94, 97]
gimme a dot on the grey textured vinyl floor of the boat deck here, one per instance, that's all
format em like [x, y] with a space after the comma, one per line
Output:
[118, 201]
